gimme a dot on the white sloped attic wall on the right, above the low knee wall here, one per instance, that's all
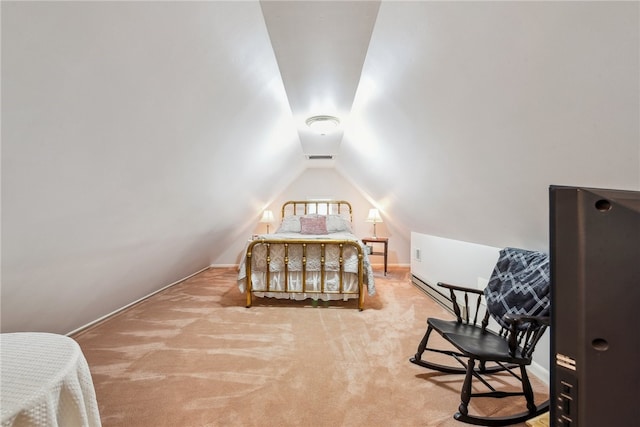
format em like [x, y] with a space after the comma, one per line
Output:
[468, 111]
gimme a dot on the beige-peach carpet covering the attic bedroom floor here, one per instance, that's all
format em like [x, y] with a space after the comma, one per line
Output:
[193, 355]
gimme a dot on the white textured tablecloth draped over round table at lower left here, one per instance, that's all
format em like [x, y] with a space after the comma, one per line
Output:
[45, 381]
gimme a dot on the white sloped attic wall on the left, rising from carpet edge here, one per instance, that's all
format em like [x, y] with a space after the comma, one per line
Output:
[136, 137]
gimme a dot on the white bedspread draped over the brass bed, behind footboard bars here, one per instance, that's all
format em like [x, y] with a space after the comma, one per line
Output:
[332, 263]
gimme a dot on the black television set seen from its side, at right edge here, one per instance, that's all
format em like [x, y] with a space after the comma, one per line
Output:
[595, 324]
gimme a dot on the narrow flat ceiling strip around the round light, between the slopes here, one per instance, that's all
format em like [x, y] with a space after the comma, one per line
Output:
[320, 47]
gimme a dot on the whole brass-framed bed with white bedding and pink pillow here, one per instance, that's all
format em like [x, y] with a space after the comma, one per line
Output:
[312, 255]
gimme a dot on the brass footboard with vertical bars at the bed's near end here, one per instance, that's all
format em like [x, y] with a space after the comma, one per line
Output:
[308, 267]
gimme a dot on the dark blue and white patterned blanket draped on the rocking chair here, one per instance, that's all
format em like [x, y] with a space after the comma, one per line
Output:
[519, 284]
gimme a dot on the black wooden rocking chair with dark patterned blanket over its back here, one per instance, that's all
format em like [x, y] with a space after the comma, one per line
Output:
[518, 298]
